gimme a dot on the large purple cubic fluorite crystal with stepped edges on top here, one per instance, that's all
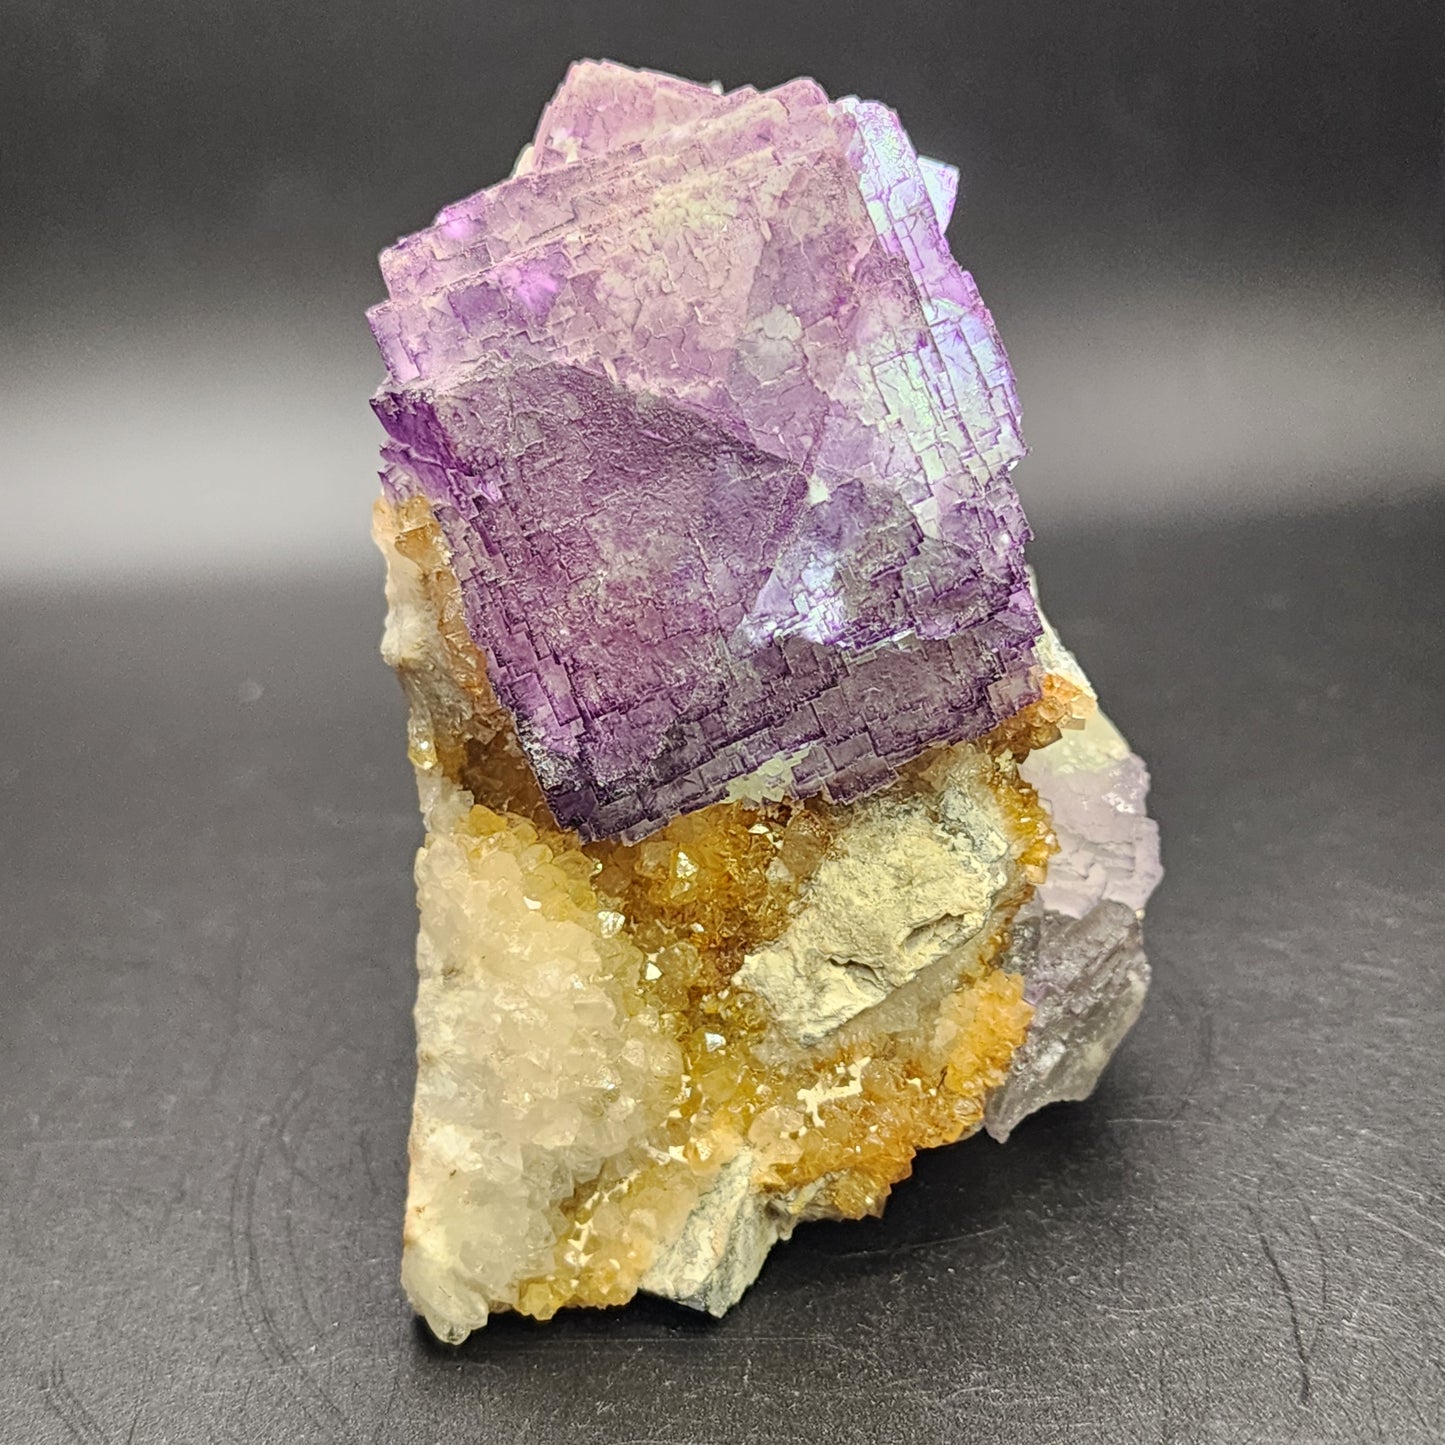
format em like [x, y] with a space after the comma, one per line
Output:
[720, 439]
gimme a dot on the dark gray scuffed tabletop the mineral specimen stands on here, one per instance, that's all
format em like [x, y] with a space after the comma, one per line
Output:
[206, 928]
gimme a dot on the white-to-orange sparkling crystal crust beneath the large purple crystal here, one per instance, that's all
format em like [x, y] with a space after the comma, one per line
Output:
[590, 1056]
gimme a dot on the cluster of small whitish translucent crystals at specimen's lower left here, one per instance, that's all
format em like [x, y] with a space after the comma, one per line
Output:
[535, 1070]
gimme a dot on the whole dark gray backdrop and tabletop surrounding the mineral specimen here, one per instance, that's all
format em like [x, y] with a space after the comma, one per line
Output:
[1212, 239]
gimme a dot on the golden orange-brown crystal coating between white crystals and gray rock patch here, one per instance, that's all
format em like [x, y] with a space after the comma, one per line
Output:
[830, 1129]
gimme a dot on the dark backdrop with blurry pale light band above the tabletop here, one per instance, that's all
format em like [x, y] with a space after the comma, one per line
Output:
[1210, 233]
